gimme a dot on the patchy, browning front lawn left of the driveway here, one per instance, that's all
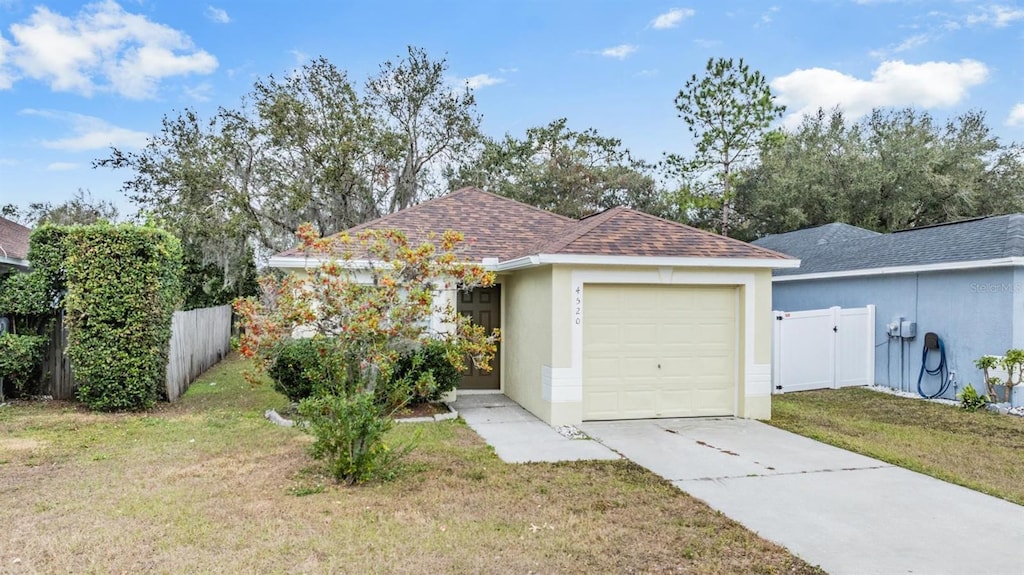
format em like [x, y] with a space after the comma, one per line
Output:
[208, 486]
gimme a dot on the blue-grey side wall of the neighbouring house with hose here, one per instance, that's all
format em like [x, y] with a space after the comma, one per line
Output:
[975, 313]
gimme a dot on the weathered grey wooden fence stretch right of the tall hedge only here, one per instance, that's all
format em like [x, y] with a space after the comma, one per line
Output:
[200, 339]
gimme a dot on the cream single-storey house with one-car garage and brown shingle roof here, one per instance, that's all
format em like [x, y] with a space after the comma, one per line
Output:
[619, 316]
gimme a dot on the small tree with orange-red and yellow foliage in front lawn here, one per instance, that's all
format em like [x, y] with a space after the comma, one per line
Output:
[368, 298]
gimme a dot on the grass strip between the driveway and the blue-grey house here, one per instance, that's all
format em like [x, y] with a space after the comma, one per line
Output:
[982, 451]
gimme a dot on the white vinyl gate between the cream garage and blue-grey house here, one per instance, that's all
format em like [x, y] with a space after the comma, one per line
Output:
[824, 349]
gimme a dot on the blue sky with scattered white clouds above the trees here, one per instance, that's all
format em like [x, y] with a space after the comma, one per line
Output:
[77, 77]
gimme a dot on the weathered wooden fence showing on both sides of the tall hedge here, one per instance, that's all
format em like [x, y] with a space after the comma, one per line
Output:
[200, 339]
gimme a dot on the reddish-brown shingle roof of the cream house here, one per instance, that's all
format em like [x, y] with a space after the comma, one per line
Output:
[502, 230]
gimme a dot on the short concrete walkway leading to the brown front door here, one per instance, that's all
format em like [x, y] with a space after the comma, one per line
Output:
[519, 437]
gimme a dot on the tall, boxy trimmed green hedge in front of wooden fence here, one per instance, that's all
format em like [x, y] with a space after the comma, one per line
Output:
[124, 283]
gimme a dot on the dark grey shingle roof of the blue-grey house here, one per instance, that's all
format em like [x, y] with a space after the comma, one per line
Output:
[992, 241]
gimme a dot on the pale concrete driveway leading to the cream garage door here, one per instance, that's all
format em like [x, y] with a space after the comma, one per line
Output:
[846, 513]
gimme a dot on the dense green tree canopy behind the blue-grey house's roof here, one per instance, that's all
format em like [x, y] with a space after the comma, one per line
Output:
[891, 170]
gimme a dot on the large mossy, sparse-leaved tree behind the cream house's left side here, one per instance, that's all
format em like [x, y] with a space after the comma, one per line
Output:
[309, 148]
